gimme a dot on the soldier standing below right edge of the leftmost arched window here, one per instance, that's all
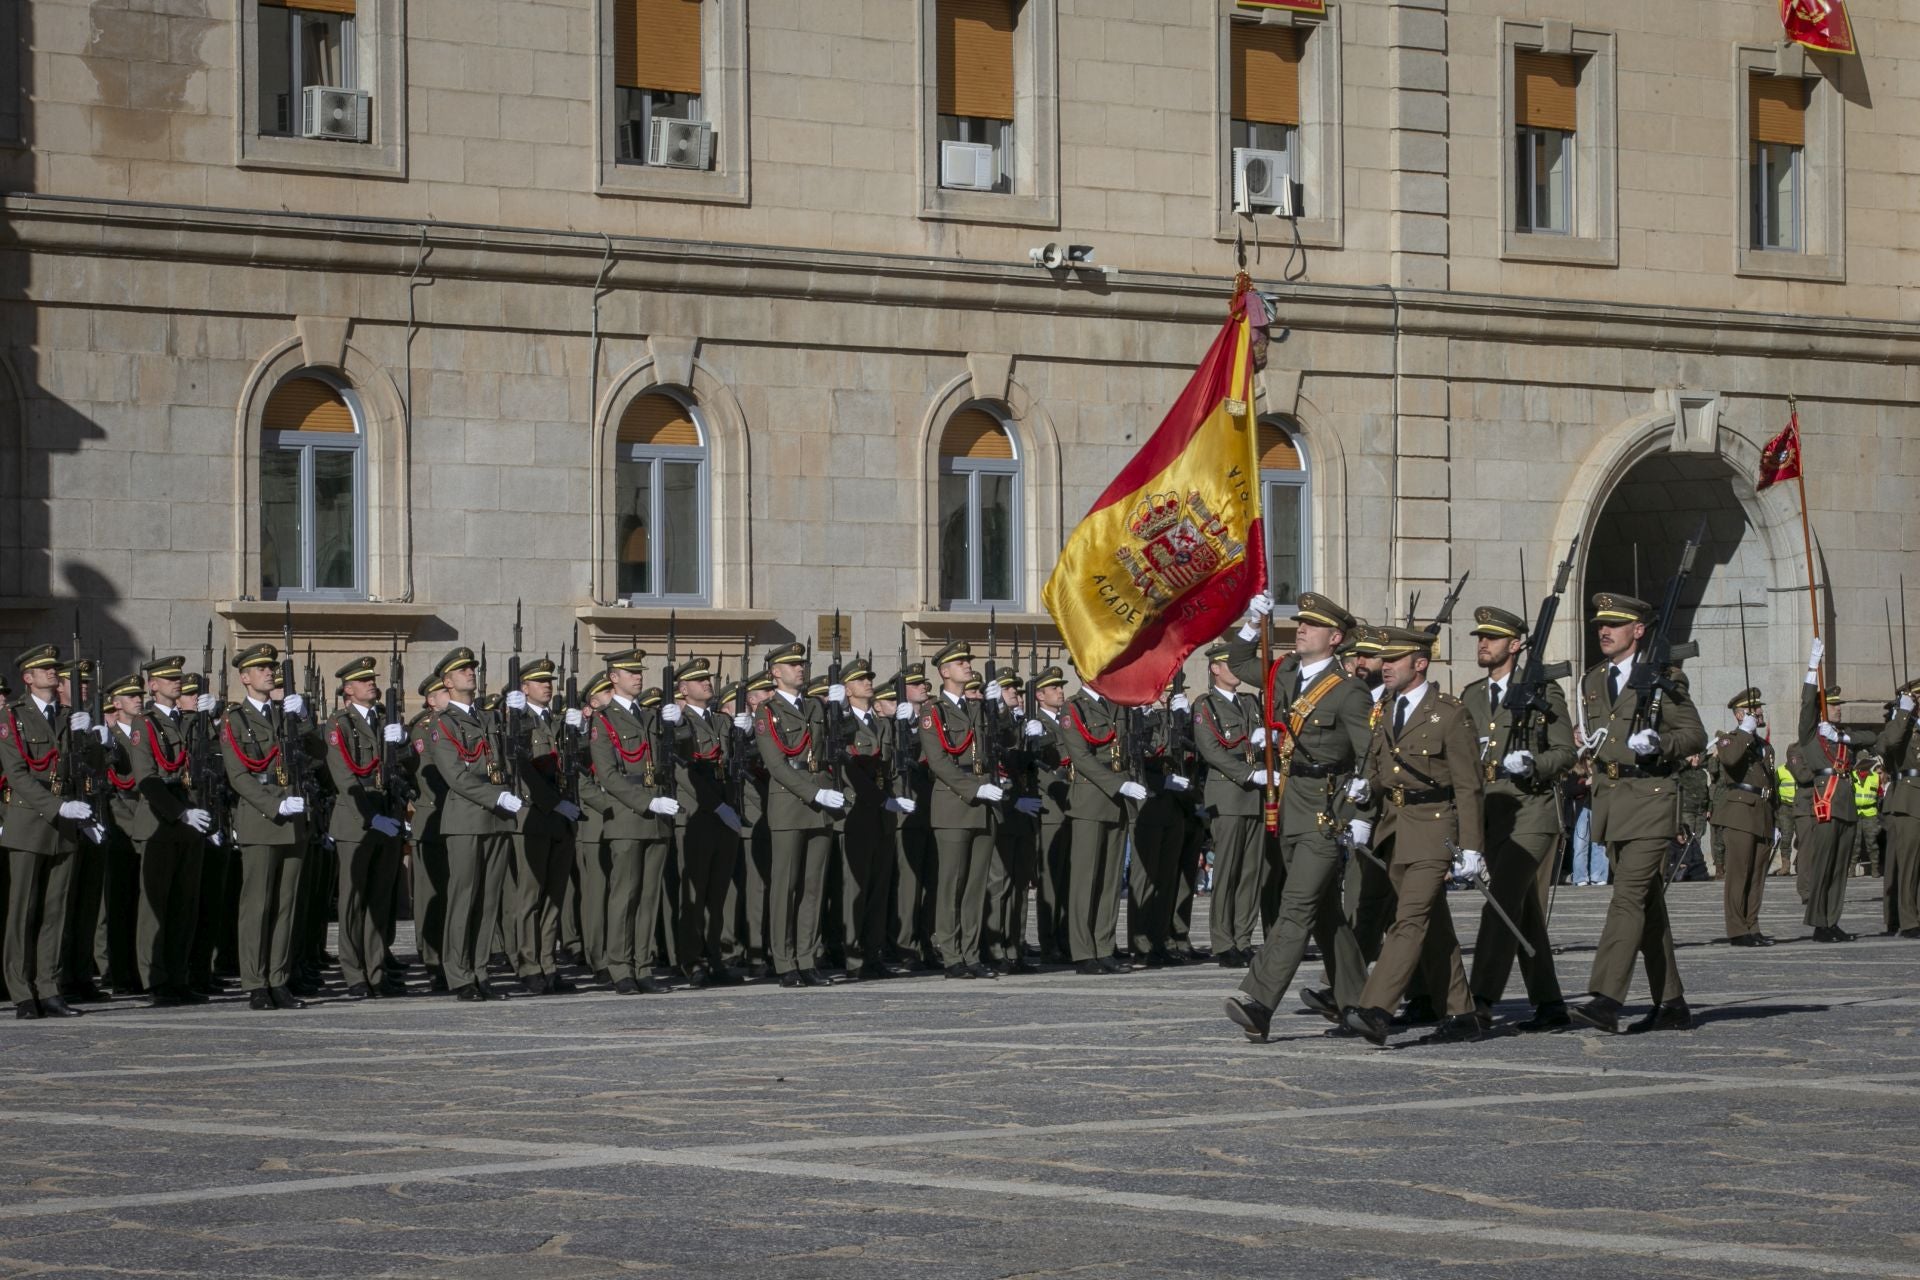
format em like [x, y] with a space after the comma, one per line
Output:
[368, 836]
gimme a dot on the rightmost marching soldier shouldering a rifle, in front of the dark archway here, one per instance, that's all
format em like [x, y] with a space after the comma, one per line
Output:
[1637, 813]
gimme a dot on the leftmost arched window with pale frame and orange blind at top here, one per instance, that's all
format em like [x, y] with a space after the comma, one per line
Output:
[314, 490]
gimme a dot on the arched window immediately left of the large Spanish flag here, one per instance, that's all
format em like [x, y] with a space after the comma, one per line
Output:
[980, 511]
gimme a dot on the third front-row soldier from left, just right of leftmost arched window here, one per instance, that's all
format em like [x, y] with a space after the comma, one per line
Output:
[475, 826]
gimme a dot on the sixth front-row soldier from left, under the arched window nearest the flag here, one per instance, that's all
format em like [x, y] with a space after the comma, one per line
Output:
[965, 813]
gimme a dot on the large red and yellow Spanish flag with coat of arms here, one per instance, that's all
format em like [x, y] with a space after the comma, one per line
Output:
[1174, 550]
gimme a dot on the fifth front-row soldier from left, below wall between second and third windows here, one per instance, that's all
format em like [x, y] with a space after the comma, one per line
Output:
[802, 805]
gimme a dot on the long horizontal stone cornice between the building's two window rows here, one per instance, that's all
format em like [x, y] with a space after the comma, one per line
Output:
[64, 225]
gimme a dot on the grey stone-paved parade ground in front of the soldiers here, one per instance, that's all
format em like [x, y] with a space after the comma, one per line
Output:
[1028, 1127]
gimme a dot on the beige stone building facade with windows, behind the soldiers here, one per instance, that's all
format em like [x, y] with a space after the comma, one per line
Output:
[1525, 298]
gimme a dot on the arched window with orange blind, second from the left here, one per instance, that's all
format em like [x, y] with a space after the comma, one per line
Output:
[661, 502]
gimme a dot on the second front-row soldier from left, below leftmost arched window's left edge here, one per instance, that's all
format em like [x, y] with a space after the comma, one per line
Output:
[270, 828]
